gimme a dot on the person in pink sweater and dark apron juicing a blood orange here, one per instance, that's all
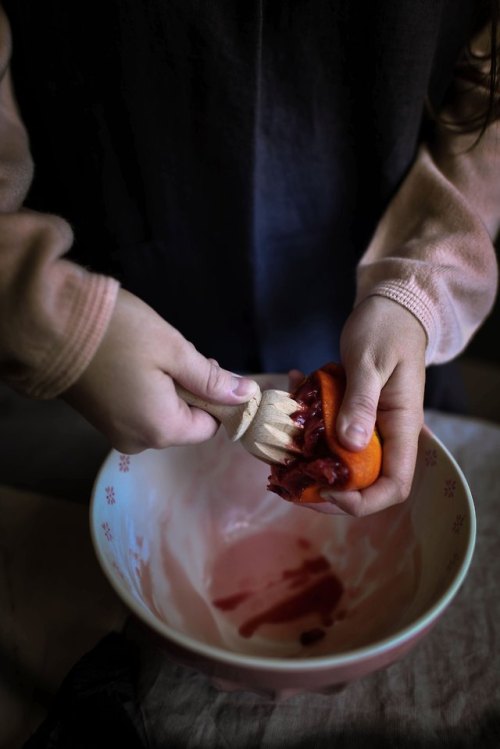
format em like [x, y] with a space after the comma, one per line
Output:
[258, 186]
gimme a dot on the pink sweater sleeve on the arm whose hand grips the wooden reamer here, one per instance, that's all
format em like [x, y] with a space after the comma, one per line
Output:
[53, 314]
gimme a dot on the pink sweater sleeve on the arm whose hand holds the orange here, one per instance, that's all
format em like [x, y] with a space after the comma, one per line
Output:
[433, 251]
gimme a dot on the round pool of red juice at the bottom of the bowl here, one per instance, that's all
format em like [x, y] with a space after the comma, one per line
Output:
[274, 587]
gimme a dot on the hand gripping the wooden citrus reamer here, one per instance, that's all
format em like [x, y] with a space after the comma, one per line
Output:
[128, 390]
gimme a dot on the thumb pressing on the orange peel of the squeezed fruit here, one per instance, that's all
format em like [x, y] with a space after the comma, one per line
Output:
[358, 412]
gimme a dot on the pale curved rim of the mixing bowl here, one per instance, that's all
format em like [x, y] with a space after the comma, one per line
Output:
[290, 664]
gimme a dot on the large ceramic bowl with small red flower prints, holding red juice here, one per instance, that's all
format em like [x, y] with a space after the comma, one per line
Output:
[262, 594]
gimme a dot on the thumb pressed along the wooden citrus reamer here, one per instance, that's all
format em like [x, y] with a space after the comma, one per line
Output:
[205, 378]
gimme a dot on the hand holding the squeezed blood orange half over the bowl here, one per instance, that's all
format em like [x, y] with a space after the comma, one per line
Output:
[383, 353]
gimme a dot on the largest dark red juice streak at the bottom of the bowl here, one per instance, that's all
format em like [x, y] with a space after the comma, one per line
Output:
[321, 597]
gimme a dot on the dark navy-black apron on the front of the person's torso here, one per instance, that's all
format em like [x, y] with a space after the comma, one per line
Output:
[228, 161]
